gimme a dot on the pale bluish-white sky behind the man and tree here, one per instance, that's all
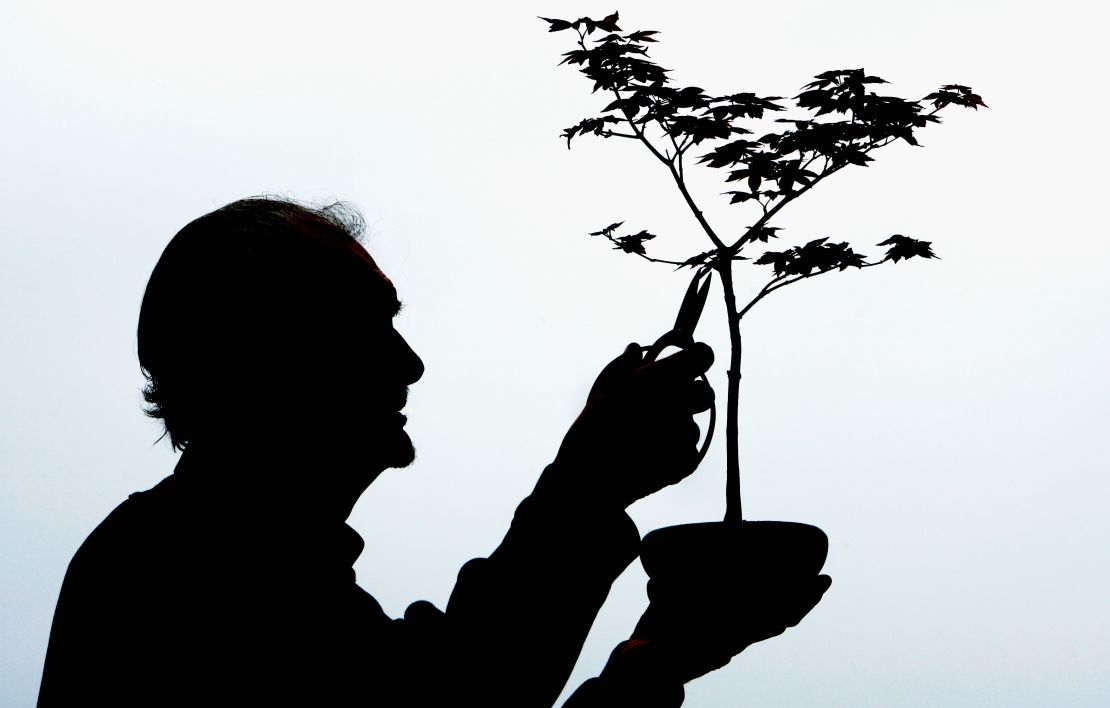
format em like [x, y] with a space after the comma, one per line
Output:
[944, 422]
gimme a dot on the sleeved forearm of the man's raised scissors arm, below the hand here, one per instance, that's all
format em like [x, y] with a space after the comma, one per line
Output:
[531, 604]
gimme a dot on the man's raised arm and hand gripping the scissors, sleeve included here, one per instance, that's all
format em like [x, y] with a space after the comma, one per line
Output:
[517, 621]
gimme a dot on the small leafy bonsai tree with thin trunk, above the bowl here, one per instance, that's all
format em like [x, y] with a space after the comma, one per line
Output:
[837, 122]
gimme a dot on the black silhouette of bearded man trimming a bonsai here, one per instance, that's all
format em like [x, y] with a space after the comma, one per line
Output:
[267, 338]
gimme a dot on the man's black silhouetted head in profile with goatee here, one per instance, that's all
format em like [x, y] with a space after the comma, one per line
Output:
[268, 320]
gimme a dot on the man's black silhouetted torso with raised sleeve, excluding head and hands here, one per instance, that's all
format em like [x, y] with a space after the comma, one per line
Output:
[189, 594]
